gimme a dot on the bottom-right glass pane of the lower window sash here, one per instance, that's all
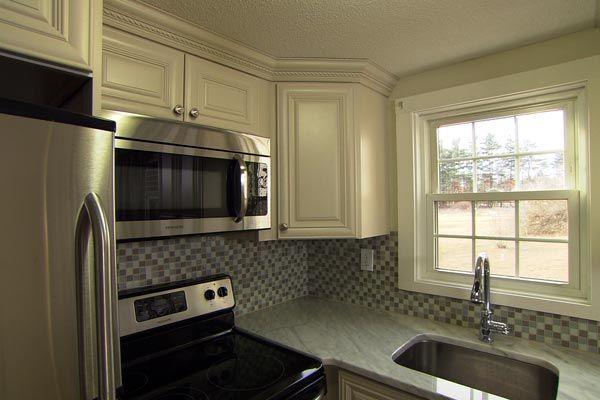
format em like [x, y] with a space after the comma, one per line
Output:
[547, 261]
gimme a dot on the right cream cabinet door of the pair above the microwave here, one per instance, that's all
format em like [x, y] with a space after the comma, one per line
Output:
[225, 98]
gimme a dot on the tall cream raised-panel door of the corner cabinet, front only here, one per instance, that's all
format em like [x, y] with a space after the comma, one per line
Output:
[316, 156]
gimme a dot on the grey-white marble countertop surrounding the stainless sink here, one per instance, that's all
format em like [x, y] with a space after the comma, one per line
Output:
[362, 340]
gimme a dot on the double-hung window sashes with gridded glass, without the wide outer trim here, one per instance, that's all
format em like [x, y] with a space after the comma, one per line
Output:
[501, 185]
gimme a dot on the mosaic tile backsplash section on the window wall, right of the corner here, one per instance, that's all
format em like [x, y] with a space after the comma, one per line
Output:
[334, 273]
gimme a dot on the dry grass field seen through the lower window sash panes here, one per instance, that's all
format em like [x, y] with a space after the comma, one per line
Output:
[537, 260]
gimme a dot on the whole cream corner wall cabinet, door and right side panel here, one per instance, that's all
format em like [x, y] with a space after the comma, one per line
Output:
[332, 161]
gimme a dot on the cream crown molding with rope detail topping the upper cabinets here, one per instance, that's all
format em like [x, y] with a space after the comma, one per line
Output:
[151, 23]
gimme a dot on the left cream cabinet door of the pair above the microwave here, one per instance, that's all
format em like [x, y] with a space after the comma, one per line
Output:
[141, 77]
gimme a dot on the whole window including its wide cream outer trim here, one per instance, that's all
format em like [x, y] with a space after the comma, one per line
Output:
[502, 172]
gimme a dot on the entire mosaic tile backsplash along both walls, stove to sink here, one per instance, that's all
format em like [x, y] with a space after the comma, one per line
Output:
[268, 273]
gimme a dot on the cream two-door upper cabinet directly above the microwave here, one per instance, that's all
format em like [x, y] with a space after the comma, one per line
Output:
[143, 77]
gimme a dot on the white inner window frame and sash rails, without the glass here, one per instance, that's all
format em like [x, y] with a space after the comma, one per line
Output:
[514, 107]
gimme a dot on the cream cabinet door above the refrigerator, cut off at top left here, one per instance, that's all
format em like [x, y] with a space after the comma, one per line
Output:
[58, 31]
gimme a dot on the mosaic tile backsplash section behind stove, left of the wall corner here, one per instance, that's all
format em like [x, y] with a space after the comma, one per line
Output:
[264, 273]
